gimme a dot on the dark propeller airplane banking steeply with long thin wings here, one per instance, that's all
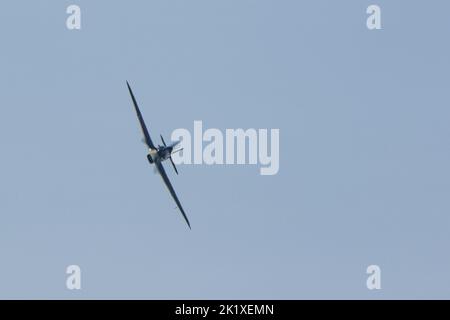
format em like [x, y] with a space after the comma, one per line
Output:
[156, 155]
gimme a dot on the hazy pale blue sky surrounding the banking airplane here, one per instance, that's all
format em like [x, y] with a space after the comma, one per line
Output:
[364, 140]
